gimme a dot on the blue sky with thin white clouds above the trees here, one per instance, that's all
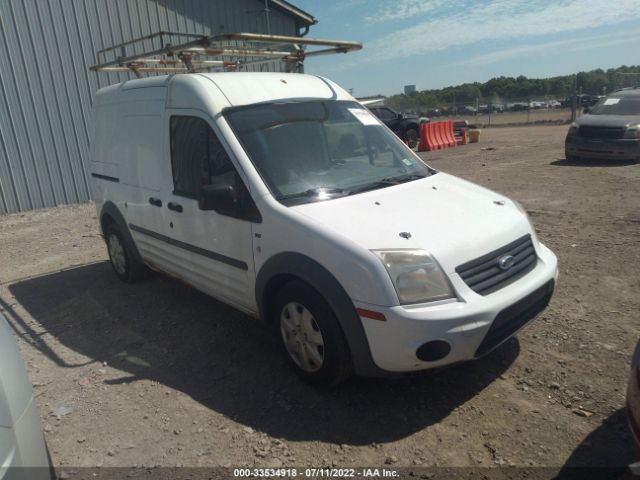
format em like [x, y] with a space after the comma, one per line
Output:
[438, 43]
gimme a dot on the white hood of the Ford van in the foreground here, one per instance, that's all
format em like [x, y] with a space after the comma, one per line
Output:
[455, 220]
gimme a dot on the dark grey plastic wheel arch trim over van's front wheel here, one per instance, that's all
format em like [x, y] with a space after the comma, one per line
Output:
[284, 267]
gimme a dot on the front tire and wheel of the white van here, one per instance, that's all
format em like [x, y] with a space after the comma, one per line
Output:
[310, 335]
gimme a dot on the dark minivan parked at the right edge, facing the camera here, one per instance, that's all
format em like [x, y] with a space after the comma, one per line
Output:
[609, 130]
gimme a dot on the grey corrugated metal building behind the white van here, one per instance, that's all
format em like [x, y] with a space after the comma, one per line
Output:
[46, 88]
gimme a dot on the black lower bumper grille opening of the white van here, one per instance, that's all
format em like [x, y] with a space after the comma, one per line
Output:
[512, 318]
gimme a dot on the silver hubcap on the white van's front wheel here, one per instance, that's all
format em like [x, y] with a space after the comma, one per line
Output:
[302, 337]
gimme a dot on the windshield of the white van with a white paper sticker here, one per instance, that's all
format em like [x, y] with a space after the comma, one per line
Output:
[317, 150]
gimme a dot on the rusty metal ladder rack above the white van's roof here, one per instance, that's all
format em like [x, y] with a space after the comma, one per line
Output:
[202, 53]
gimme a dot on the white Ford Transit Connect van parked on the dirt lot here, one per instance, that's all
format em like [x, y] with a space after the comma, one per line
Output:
[281, 195]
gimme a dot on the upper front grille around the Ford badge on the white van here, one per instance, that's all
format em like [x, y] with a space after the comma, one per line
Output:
[484, 275]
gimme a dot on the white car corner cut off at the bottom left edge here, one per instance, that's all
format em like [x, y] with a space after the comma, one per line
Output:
[23, 453]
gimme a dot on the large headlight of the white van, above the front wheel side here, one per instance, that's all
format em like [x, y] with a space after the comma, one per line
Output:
[416, 276]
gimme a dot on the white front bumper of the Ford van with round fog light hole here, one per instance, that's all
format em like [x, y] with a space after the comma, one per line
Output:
[466, 325]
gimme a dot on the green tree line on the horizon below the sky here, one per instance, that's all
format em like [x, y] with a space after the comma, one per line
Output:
[500, 89]
